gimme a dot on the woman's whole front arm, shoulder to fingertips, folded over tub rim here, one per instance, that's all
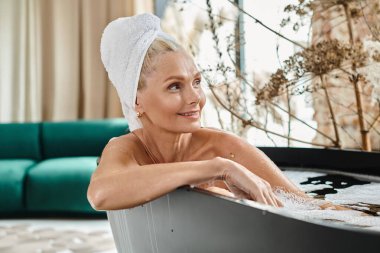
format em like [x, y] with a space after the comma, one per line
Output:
[120, 182]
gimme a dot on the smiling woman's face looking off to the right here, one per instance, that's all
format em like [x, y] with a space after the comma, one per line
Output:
[172, 98]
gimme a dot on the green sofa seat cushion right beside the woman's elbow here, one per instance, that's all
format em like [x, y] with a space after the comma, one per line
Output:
[60, 185]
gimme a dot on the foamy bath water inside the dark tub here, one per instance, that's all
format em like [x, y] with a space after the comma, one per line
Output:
[359, 193]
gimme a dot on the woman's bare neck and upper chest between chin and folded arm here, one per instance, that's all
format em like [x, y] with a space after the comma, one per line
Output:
[166, 146]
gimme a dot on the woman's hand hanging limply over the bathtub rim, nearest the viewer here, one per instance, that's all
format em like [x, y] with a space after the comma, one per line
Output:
[245, 184]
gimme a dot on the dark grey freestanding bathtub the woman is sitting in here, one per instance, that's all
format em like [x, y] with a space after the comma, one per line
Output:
[193, 220]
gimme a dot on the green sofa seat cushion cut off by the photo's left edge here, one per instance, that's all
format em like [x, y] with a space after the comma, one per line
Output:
[12, 174]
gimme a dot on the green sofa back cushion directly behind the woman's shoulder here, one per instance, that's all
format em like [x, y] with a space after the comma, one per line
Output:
[79, 138]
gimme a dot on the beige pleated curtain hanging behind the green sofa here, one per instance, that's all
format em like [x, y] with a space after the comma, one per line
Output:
[50, 66]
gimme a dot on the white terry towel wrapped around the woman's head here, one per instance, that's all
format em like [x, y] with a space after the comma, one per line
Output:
[123, 46]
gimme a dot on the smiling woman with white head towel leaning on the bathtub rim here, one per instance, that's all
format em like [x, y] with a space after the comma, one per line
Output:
[160, 90]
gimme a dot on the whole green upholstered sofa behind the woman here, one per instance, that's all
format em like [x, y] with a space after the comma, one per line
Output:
[45, 167]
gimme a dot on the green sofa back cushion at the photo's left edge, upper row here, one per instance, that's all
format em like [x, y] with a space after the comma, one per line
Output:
[20, 140]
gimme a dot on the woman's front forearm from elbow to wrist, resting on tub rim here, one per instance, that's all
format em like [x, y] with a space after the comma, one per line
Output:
[139, 184]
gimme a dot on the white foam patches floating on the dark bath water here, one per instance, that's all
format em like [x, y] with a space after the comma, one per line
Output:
[358, 196]
